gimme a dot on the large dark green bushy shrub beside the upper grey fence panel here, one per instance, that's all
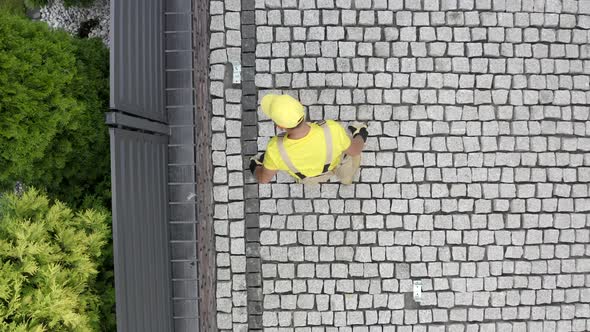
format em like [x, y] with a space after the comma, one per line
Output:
[53, 94]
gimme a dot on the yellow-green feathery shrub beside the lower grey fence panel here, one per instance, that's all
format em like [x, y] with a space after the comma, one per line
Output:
[49, 261]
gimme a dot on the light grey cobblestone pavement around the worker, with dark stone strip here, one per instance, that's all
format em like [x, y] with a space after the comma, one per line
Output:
[475, 177]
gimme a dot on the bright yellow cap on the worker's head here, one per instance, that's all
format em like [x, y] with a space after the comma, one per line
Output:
[284, 110]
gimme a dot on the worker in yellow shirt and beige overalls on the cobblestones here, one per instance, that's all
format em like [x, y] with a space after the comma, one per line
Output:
[310, 152]
